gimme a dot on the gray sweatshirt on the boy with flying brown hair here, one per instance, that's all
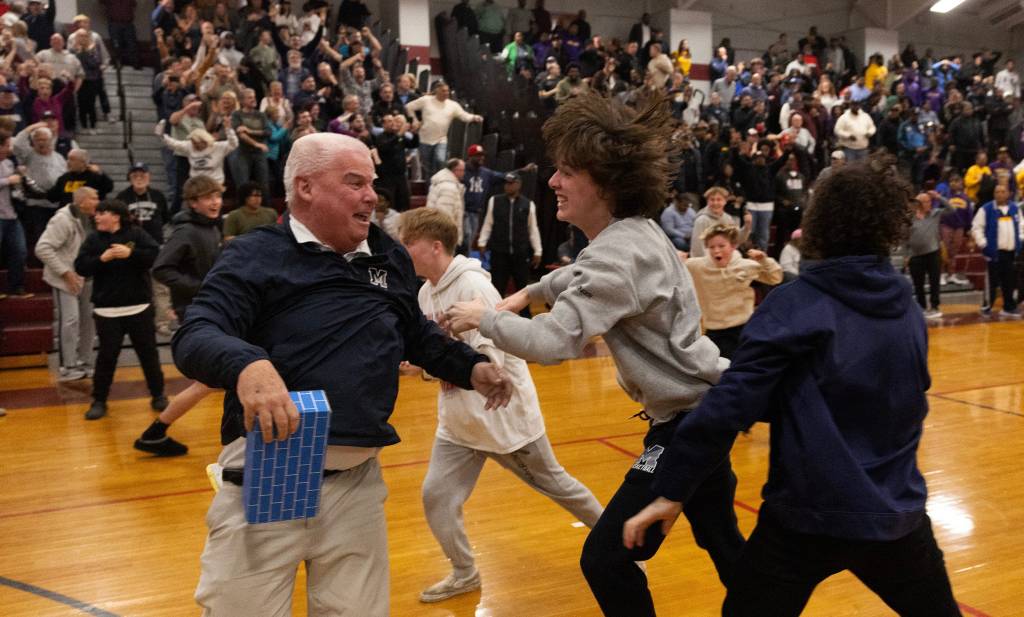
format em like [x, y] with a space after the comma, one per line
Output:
[630, 287]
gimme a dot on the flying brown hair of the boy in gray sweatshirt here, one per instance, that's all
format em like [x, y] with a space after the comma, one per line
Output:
[626, 152]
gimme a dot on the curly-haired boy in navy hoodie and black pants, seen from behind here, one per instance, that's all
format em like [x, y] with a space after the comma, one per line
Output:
[838, 363]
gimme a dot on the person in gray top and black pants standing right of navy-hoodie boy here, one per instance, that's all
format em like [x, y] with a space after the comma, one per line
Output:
[923, 250]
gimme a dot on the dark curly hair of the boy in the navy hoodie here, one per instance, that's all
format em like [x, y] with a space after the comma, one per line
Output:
[862, 209]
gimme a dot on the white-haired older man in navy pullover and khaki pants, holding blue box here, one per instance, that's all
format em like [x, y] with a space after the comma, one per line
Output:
[324, 301]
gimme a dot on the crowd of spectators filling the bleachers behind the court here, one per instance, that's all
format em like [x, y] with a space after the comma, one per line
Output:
[237, 86]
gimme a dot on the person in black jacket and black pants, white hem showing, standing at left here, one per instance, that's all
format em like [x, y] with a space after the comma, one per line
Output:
[118, 256]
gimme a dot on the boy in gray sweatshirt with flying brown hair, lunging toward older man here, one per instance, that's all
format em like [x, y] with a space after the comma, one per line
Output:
[629, 287]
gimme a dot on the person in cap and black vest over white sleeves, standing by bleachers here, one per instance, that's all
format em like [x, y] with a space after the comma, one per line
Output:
[511, 233]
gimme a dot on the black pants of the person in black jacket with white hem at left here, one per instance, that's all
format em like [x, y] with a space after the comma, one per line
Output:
[143, 333]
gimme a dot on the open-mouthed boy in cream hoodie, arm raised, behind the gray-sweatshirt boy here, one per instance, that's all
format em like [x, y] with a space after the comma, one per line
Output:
[723, 280]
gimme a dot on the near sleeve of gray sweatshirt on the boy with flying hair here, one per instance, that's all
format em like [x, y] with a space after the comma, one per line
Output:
[599, 296]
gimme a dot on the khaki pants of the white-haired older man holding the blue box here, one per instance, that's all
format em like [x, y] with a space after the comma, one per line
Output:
[250, 569]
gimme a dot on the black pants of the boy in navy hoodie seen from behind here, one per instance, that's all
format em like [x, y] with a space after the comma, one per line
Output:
[779, 570]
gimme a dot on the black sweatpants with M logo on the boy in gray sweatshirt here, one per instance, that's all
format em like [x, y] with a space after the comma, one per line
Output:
[618, 584]
